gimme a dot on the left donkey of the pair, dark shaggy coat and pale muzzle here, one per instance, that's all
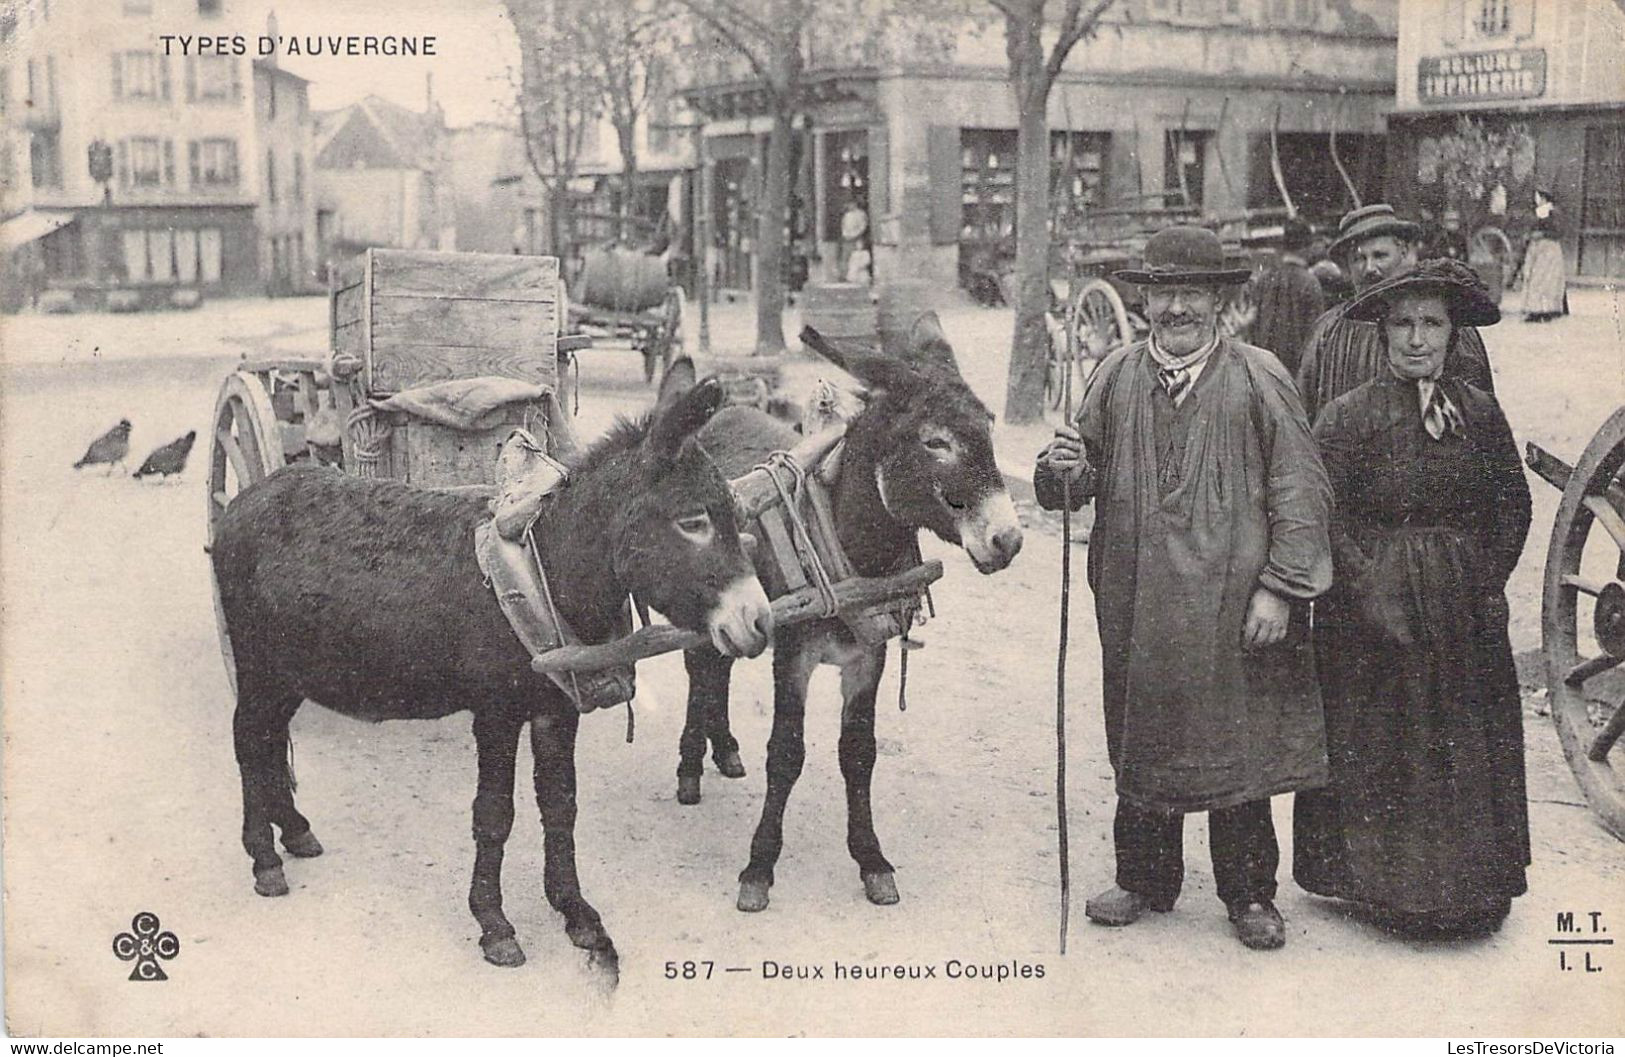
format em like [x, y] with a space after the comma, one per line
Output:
[366, 598]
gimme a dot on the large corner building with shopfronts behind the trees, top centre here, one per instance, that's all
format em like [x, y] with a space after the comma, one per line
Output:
[1172, 103]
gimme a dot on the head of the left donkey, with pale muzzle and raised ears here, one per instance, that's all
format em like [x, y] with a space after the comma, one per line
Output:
[677, 539]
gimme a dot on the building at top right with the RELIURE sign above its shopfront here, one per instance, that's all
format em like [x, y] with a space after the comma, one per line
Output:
[1499, 98]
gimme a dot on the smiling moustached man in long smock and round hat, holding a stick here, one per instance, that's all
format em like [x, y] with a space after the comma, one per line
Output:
[1210, 541]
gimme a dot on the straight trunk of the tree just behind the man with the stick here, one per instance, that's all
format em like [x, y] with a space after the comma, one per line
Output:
[1031, 341]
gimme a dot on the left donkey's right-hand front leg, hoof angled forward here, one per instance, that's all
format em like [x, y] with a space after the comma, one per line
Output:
[553, 747]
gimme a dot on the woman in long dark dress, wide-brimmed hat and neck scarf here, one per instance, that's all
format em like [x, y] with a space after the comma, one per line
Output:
[1426, 817]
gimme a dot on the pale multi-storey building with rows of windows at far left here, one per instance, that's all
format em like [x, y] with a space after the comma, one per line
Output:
[186, 201]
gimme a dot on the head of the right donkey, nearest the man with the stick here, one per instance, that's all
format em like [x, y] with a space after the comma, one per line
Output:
[932, 445]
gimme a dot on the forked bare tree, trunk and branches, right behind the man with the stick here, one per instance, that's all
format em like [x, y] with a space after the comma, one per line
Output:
[1033, 77]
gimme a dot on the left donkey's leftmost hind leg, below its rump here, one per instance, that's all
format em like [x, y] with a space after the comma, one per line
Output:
[261, 736]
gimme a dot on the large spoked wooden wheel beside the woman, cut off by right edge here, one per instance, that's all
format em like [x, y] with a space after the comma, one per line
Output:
[1585, 585]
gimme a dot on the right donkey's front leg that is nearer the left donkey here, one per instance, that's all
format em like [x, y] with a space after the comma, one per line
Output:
[786, 754]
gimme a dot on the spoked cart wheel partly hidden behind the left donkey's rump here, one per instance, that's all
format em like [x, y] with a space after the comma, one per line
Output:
[245, 448]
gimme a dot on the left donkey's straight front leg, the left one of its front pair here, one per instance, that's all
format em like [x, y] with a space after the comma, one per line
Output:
[496, 741]
